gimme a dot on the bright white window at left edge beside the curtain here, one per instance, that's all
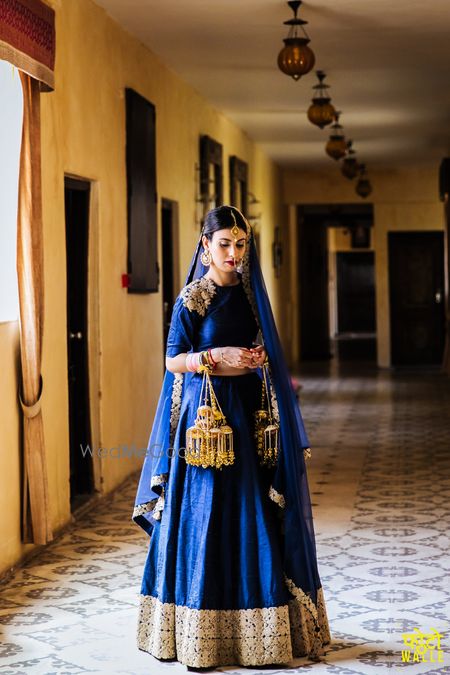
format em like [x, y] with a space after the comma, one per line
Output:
[10, 139]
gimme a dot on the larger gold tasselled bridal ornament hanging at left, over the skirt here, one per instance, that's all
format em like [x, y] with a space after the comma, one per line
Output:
[209, 442]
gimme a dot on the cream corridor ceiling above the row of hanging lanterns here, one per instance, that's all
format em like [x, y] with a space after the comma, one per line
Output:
[387, 62]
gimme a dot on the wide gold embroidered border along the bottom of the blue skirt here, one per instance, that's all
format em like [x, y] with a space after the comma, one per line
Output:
[251, 637]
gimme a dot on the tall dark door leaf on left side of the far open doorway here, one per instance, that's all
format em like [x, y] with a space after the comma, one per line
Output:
[313, 280]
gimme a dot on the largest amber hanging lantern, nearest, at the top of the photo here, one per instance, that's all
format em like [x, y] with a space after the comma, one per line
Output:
[296, 58]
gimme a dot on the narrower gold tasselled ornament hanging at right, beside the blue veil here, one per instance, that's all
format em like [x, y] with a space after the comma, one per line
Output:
[266, 429]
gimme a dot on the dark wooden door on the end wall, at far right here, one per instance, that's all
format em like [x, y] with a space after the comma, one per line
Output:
[416, 273]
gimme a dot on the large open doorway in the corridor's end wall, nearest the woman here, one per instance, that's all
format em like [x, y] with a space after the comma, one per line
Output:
[315, 271]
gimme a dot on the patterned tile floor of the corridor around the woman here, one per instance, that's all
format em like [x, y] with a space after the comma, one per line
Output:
[380, 483]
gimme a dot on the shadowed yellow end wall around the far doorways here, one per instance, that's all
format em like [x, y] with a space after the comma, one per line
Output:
[404, 199]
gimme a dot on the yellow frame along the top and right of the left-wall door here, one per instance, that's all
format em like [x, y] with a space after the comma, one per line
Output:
[93, 330]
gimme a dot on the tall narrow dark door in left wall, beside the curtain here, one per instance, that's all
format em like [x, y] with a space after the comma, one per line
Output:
[77, 233]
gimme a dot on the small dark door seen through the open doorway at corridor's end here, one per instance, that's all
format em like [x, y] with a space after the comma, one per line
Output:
[356, 292]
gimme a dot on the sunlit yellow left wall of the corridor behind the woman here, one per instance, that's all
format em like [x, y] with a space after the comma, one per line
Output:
[83, 124]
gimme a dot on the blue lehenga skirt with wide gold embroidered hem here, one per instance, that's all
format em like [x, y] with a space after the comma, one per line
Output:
[214, 591]
